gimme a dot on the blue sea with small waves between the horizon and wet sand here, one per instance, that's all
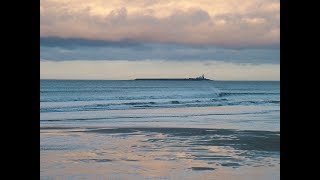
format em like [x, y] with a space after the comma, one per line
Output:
[222, 104]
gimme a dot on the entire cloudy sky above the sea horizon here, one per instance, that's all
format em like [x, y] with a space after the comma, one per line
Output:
[127, 39]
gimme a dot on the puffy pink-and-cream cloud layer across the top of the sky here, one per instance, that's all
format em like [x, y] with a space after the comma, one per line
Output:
[221, 22]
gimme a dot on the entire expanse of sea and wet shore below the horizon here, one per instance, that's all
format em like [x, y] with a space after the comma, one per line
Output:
[102, 129]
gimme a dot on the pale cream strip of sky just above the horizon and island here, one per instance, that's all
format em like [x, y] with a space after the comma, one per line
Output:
[127, 70]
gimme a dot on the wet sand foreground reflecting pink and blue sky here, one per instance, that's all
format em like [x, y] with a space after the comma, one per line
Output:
[167, 153]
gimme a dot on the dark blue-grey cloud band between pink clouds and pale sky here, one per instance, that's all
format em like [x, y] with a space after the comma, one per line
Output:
[60, 49]
